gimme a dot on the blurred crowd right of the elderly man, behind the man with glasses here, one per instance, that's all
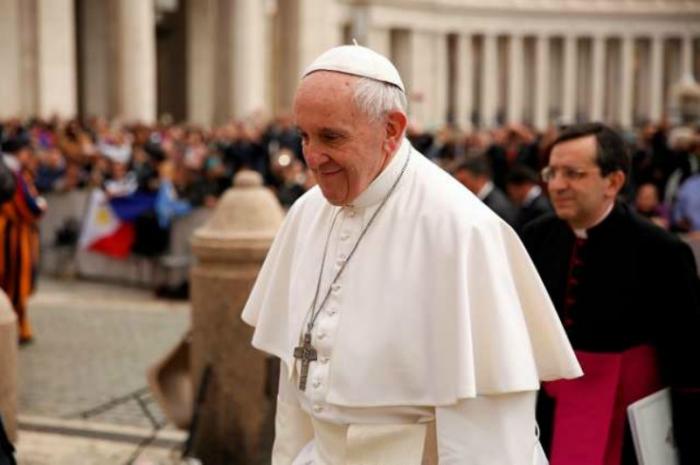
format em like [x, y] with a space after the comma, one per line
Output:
[663, 185]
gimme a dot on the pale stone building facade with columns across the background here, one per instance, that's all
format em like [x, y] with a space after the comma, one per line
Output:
[473, 63]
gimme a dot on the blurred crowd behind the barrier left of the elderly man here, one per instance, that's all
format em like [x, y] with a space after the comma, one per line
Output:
[122, 158]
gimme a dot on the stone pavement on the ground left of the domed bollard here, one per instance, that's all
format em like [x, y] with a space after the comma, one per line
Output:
[82, 394]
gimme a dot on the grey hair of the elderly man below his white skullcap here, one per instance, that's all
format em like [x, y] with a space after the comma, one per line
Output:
[376, 98]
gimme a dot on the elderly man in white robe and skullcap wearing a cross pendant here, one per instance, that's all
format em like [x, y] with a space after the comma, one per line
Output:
[403, 310]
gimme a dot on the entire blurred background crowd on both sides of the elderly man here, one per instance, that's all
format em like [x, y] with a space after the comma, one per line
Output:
[200, 163]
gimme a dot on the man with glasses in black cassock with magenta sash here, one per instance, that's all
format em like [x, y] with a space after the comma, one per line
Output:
[627, 294]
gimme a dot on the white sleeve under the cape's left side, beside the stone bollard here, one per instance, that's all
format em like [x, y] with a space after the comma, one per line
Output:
[293, 429]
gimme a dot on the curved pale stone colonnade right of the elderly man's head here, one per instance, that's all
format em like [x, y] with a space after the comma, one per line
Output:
[489, 78]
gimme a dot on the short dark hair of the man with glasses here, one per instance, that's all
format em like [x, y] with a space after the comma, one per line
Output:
[612, 153]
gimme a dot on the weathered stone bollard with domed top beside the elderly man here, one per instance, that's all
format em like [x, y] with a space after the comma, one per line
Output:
[236, 420]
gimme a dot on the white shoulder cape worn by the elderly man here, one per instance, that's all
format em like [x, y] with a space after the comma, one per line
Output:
[442, 301]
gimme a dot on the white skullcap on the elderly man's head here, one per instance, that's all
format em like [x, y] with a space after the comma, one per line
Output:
[358, 61]
